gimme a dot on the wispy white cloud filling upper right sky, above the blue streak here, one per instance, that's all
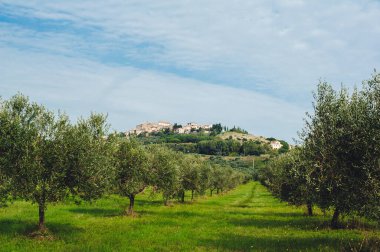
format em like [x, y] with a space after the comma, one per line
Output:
[281, 47]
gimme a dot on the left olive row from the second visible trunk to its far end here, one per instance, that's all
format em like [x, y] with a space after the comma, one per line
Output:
[169, 172]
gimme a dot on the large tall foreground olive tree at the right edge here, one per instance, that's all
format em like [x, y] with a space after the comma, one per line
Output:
[341, 142]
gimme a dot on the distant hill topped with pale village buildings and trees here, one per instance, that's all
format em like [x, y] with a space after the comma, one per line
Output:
[213, 139]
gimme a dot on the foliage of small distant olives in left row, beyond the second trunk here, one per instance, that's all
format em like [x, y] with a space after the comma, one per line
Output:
[174, 173]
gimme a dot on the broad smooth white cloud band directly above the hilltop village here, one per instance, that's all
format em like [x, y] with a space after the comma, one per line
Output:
[131, 96]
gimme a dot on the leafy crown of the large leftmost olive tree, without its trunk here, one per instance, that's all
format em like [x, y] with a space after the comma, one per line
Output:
[33, 150]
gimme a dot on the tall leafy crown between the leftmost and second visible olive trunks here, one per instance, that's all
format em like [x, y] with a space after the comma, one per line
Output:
[91, 158]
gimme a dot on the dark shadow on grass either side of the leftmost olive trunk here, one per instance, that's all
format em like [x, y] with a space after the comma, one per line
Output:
[25, 228]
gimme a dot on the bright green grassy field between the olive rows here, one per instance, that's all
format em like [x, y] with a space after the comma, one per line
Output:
[245, 219]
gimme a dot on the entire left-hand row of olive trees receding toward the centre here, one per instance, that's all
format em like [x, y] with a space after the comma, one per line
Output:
[45, 158]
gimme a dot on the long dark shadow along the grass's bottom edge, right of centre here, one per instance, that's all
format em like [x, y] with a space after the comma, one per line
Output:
[233, 242]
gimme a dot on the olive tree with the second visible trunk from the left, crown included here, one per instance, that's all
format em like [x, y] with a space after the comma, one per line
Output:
[132, 171]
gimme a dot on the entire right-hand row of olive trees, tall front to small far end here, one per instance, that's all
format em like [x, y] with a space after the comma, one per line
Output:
[337, 166]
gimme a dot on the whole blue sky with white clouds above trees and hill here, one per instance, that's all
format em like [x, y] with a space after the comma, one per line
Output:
[251, 63]
